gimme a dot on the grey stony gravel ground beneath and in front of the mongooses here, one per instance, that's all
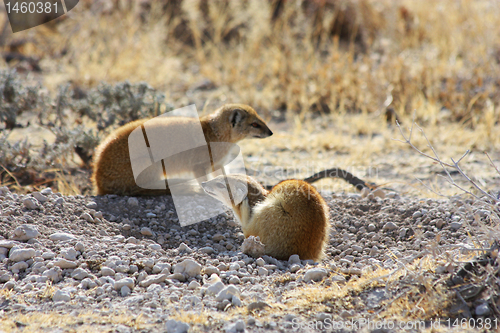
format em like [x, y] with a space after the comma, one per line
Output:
[122, 264]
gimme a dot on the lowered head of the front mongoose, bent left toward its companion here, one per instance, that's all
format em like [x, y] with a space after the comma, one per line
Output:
[241, 187]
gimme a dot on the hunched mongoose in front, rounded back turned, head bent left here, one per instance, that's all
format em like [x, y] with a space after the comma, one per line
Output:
[292, 218]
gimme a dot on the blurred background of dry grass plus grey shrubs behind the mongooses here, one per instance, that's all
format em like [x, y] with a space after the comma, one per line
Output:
[362, 63]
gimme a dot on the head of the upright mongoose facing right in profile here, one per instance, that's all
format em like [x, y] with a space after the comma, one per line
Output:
[244, 122]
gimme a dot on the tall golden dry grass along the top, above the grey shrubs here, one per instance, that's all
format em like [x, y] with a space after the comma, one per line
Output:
[426, 55]
